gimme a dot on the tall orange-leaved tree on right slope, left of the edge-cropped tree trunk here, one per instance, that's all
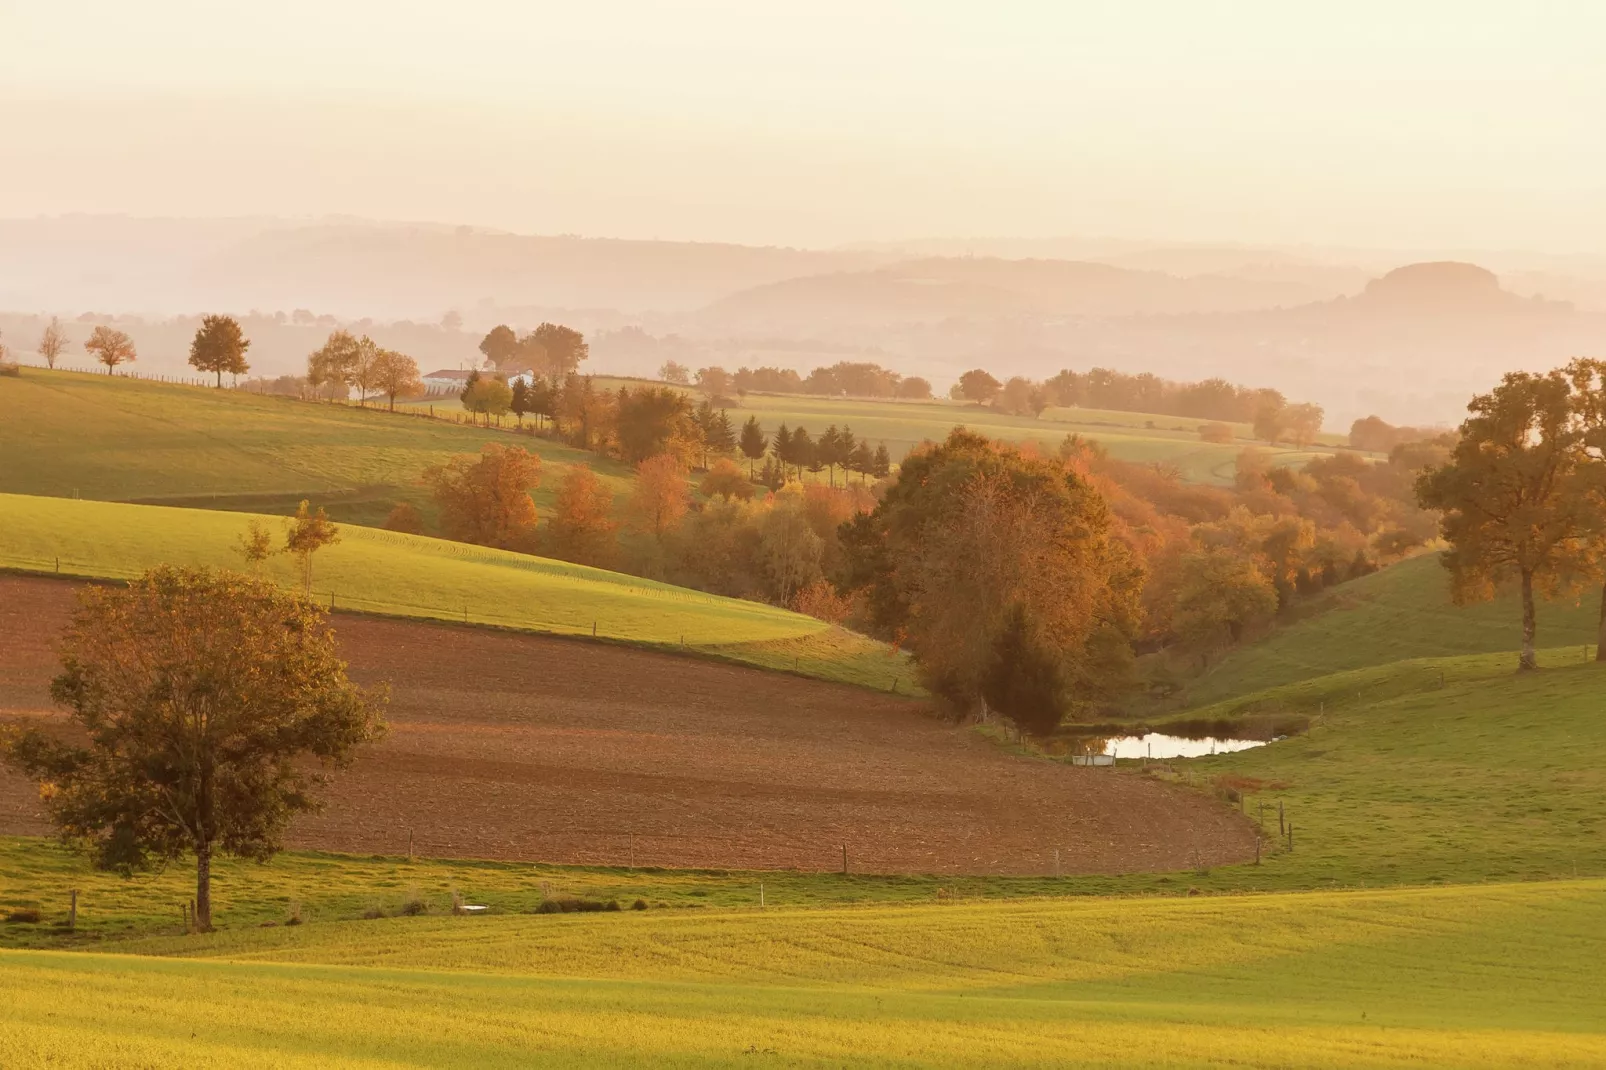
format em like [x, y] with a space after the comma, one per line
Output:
[1512, 497]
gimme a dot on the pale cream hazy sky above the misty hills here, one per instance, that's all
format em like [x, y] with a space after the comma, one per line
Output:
[1401, 123]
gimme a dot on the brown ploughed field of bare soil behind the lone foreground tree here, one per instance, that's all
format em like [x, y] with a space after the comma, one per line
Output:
[542, 749]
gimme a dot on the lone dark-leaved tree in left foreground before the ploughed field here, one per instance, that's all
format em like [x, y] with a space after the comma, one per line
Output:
[202, 696]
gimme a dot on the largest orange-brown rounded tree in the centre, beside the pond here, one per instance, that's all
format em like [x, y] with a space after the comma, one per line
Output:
[977, 537]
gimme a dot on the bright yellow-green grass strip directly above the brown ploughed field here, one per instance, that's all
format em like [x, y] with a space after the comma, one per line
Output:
[412, 576]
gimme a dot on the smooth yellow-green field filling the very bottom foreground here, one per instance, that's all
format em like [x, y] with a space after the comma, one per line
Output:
[1470, 978]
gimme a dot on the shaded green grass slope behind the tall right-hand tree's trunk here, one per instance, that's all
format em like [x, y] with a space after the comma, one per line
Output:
[1401, 613]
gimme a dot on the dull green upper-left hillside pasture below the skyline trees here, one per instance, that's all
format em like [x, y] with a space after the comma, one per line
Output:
[118, 439]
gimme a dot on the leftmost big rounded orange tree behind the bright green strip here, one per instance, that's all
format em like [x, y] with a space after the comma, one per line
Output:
[486, 499]
